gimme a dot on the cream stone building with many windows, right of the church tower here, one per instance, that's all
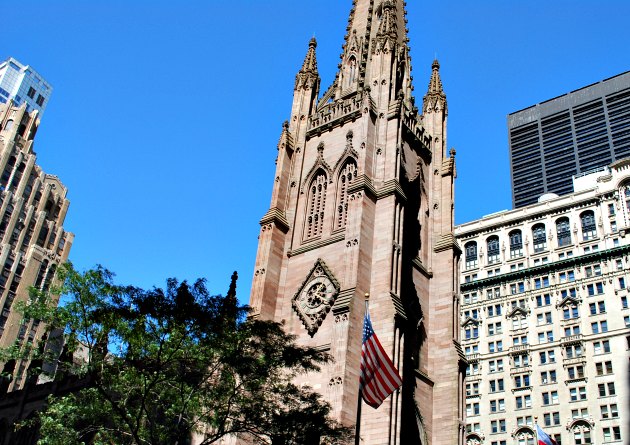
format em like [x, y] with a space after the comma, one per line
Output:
[545, 318]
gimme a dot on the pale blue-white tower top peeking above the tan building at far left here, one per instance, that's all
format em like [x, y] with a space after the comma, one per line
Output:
[24, 85]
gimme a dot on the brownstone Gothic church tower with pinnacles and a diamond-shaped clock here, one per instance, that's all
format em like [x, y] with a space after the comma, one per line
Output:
[362, 202]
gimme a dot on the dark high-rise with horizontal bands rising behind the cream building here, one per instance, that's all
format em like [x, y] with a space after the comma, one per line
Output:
[568, 135]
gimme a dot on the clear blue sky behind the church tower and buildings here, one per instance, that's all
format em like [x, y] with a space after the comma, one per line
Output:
[165, 115]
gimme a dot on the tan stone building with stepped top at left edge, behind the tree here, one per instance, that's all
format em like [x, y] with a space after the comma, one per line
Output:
[33, 243]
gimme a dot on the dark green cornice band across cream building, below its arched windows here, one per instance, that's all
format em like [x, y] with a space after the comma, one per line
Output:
[546, 268]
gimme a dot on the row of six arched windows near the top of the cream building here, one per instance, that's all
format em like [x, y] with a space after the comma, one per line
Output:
[539, 238]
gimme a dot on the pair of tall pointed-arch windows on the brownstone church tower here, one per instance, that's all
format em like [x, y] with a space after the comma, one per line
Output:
[316, 204]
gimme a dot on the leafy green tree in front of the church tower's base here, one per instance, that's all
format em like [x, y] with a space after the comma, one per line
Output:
[163, 364]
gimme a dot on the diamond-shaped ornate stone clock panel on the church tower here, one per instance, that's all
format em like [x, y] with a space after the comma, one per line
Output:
[315, 297]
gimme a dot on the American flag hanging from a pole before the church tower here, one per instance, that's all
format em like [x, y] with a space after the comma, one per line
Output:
[379, 378]
